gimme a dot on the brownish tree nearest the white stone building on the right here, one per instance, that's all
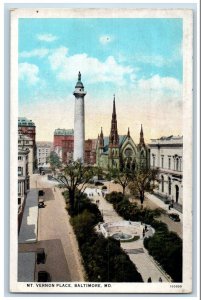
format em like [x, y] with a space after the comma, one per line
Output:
[143, 180]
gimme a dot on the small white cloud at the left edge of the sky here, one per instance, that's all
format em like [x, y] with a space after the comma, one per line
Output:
[29, 73]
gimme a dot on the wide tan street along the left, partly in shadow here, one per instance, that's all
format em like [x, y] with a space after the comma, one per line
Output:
[56, 236]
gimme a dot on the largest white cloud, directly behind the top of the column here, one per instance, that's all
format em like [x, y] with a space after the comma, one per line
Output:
[93, 70]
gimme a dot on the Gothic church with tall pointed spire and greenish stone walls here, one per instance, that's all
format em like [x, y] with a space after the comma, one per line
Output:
[120, 151]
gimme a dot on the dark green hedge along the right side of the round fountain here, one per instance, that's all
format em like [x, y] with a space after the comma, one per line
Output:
[165, 246]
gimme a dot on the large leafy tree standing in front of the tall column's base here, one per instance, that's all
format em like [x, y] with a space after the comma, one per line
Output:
[74, 177]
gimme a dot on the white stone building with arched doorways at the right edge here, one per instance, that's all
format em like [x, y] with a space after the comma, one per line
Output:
[166, 154]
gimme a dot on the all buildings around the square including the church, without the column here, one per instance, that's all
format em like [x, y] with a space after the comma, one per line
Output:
[113, 150]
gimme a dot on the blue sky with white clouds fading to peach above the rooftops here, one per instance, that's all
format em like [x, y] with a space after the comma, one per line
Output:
[139, 60]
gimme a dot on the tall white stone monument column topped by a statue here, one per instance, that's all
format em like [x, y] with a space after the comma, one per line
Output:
[79, 120]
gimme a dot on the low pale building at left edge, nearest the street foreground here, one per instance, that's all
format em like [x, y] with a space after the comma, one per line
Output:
[23, 180]
